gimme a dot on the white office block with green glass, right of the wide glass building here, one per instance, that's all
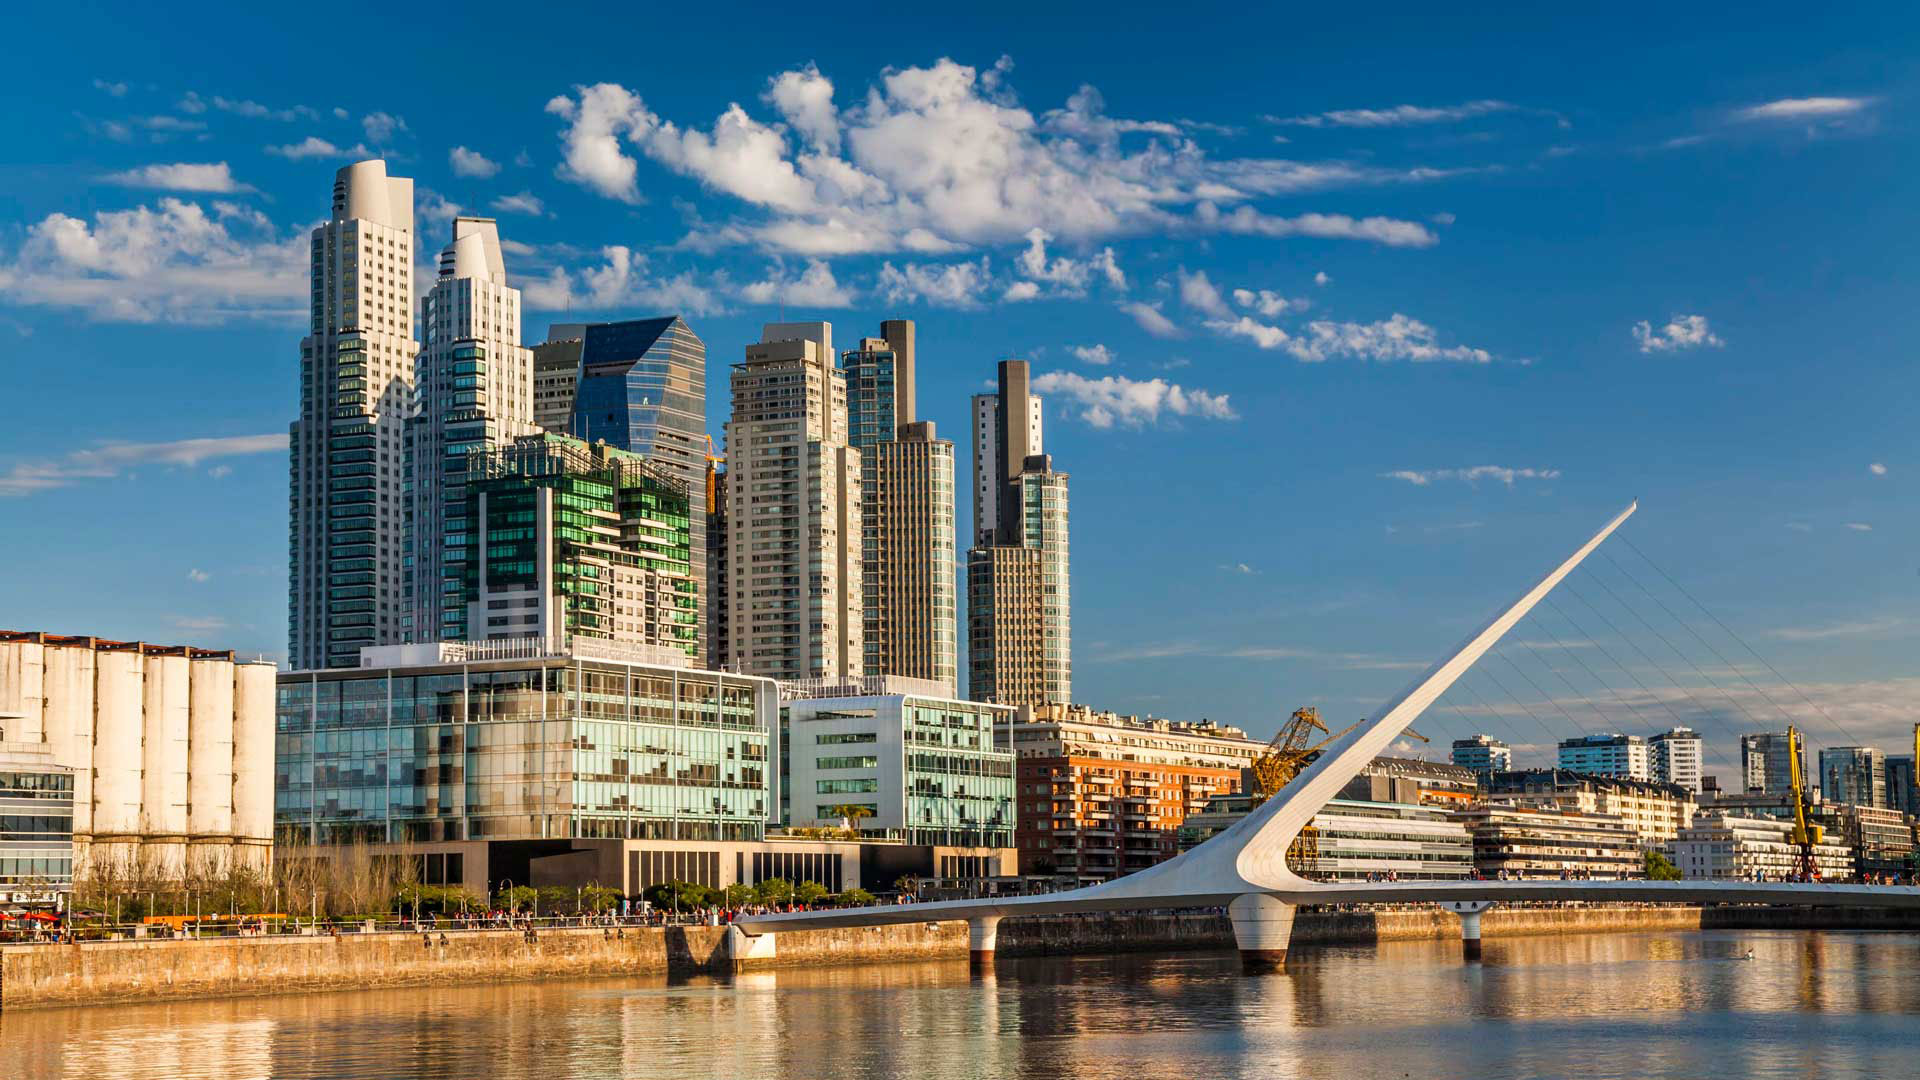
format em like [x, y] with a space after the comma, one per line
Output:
[900, 760]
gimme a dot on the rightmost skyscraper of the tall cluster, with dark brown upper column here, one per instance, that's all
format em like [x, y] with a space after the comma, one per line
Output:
[1020, 631]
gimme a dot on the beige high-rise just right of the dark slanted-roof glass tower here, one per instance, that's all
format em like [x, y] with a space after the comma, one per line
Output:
[794, 512]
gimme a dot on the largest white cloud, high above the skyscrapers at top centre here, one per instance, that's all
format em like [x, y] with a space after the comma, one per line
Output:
[946, 159]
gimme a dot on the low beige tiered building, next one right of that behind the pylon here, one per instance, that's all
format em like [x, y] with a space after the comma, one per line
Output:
[1525, 839]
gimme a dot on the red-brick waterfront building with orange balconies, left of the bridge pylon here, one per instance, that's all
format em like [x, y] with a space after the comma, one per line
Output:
[1101, 795]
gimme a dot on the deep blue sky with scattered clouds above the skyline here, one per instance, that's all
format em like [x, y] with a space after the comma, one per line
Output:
[1347, 324]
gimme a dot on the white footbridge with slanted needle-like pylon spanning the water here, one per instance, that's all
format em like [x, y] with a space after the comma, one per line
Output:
[1245, 868]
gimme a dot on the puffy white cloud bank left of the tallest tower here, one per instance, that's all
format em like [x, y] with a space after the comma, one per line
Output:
[176, 264]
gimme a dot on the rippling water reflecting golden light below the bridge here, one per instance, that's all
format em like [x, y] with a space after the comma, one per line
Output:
[1579, 1006]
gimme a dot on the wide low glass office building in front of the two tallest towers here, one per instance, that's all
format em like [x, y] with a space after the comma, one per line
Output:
[454, 743]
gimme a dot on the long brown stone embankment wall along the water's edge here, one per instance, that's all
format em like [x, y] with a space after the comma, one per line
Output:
[229, 968]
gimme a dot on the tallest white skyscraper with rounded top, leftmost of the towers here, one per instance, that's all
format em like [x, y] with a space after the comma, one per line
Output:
[347, 508]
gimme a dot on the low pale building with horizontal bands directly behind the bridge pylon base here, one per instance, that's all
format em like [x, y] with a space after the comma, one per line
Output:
[1356, 841]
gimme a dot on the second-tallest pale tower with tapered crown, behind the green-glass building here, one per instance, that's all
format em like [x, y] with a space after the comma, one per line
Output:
[473, 393]
